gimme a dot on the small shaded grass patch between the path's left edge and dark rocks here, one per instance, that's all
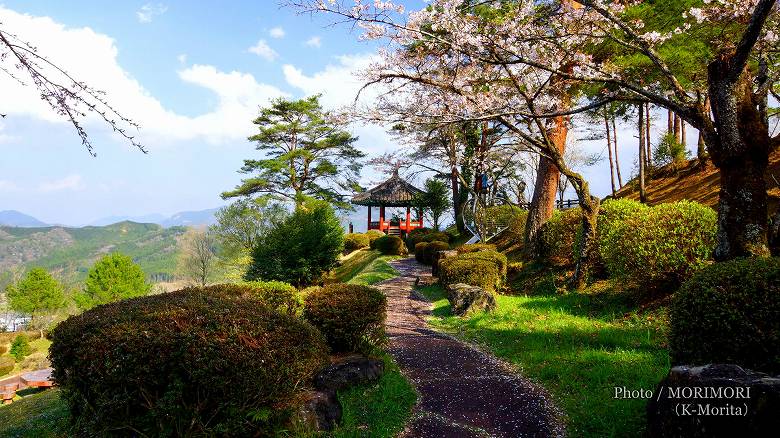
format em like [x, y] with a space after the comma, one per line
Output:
[379, 410]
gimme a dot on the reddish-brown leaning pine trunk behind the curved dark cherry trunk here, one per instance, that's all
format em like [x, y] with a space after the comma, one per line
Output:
[545, 190]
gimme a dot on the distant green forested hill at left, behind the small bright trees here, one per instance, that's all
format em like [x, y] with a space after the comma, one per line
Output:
[70, 252]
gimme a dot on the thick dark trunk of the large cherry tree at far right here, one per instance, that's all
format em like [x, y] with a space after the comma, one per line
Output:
[739, 147]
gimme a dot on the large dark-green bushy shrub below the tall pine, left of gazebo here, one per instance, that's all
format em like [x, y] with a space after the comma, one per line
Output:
[301, 249]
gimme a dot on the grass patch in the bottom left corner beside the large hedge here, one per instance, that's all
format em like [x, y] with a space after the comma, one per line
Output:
[41, 415]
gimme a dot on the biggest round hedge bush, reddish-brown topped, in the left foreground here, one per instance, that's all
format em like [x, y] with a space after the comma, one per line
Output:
[137, 366]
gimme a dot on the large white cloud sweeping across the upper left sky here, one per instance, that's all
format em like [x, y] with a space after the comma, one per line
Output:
[92, 58]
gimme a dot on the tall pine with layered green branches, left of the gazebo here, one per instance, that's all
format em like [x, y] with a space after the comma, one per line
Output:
[306, 153]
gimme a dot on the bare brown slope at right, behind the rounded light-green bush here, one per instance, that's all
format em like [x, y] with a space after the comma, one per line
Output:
[698, 183]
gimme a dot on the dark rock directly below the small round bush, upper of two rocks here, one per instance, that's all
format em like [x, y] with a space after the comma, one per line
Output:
[349, 371]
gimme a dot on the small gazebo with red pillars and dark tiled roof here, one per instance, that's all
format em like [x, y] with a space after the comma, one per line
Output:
[395, 192]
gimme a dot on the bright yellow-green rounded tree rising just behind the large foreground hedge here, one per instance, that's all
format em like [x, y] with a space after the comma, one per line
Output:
[114, 277]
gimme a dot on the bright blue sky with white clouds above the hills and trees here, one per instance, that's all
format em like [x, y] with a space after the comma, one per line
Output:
[193, 75]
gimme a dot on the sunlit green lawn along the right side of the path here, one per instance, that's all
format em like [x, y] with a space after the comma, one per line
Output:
[578, 346]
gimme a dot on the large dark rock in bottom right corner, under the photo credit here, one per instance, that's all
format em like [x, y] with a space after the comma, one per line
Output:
[716, 400]
